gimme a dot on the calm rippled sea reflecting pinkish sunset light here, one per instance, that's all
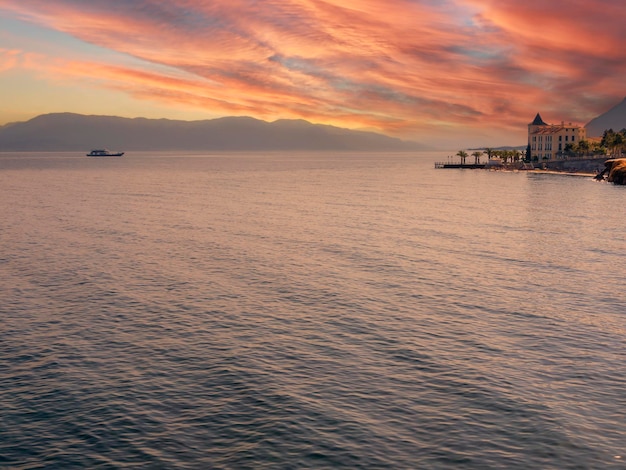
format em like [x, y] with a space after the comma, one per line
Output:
[291, 311]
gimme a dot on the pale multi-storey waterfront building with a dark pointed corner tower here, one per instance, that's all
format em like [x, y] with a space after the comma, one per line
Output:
[549, 141]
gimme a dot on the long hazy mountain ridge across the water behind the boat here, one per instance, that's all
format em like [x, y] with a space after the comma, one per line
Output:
[76, 132]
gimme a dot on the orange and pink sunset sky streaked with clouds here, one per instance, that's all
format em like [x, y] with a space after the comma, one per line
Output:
[444, 73]
